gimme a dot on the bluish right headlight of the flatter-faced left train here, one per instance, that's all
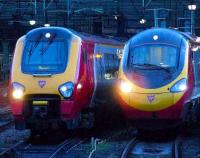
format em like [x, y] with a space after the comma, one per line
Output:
[66, 89]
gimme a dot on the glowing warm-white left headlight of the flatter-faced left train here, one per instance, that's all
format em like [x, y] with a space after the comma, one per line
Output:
[17, 90]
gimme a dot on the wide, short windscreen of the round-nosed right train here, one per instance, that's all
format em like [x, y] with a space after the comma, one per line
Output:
[163, 56]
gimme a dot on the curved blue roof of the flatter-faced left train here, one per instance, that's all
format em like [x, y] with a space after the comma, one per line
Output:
[84, 36]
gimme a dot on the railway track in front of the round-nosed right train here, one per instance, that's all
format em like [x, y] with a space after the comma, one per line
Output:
[176, 150]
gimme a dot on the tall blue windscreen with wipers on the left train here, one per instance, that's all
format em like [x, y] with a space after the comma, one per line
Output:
[45, 56]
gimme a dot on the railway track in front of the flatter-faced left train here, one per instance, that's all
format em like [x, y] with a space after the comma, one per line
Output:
[24, 150]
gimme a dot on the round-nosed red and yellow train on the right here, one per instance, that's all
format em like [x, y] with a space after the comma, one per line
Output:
[159, 78]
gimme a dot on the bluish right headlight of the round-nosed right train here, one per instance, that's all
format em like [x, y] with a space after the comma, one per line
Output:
[179, 86]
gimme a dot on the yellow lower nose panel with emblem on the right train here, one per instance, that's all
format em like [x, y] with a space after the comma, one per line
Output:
[151, 101]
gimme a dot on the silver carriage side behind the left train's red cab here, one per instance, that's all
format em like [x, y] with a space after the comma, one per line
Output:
[106, 64]
